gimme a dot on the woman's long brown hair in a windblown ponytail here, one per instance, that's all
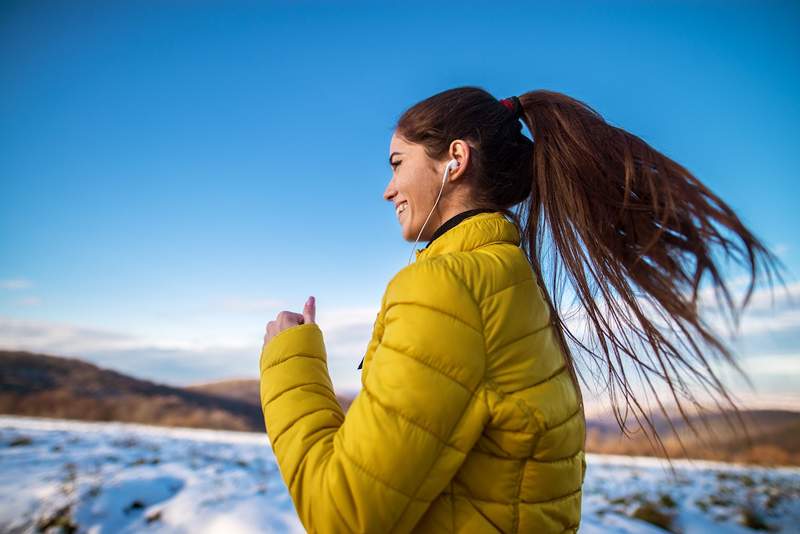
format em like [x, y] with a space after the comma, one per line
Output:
[622, 217]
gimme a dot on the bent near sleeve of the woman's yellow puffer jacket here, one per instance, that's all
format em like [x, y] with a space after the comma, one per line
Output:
[407, 432]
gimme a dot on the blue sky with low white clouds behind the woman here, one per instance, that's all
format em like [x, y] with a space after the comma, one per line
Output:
[176, 173]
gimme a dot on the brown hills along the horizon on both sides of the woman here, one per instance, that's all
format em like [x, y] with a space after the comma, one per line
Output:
[50, 386]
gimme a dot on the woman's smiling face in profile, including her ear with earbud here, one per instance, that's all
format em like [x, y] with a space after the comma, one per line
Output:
[415, 184]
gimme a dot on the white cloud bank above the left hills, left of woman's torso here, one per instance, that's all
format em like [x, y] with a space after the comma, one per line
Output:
[204, 356]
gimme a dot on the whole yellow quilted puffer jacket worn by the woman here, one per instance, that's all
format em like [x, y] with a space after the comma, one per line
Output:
[467, 420]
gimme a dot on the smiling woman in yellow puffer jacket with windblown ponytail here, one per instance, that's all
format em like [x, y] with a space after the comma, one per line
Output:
[470, 418]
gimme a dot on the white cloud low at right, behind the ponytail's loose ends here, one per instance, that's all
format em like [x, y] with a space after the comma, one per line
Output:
[767, 341]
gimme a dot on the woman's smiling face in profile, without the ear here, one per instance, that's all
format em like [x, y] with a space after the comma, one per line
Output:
[416, 180]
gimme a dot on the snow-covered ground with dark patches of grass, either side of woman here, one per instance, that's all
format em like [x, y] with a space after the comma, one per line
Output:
[116, 478]
